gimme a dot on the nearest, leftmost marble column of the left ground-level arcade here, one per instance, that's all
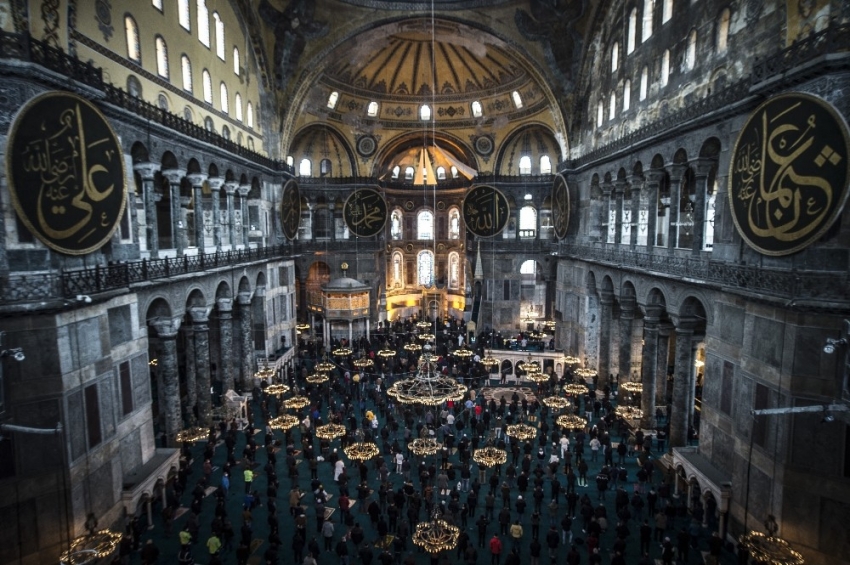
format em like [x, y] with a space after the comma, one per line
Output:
[167, 378]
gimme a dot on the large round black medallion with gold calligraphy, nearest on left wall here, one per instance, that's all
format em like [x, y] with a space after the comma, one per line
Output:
[66, 173]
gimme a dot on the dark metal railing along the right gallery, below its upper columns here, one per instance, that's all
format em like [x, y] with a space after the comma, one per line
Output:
[782, 283]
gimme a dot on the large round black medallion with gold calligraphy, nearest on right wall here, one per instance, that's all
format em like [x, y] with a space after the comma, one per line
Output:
[788, 175]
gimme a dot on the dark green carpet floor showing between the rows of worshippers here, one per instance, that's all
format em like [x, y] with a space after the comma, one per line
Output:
[169, 545]
